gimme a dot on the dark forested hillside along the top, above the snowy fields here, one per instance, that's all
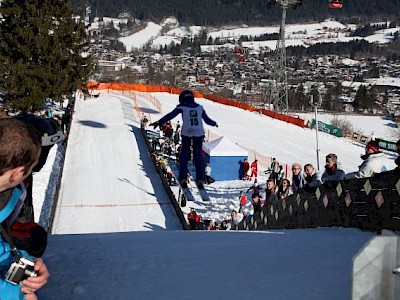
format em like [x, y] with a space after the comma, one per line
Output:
[236, 12]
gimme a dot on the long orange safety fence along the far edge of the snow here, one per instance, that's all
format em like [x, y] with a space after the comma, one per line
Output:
[161, 88]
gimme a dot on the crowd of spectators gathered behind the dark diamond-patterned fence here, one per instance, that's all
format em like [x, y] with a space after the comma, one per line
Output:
[278, 186]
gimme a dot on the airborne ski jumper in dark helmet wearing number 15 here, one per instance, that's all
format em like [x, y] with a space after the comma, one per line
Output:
[192, 131]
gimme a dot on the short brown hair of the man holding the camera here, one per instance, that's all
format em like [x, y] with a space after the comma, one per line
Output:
[20, 144]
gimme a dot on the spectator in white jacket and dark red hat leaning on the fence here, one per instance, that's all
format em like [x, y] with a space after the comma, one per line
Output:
[373, 162]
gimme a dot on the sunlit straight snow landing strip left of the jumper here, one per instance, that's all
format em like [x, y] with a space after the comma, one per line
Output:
[108, 178]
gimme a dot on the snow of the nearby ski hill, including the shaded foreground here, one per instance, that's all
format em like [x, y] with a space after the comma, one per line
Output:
[115, 234]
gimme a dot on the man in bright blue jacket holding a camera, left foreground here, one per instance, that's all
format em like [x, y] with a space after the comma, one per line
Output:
[20, 148]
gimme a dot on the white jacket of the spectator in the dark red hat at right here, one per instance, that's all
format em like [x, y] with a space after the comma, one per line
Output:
[373, 163]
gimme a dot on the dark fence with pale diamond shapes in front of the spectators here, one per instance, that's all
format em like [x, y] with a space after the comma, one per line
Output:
[368, 203]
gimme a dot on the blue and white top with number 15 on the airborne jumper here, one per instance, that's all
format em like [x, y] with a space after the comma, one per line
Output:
[192, 115]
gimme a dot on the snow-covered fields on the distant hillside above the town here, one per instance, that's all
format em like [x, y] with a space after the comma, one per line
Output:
[328, 31]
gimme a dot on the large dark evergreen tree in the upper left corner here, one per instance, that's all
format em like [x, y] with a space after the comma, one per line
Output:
[41, 52]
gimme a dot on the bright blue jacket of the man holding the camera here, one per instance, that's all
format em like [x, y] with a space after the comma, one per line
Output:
[9, 291]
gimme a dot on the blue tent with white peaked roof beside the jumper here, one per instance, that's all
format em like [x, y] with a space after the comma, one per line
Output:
[225, 158]
